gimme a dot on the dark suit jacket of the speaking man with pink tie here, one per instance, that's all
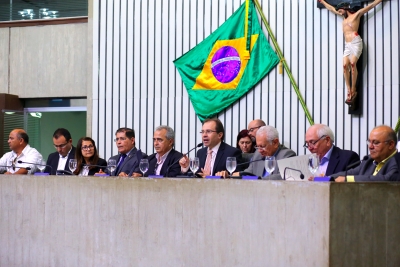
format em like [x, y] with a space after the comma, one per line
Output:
[224, 151]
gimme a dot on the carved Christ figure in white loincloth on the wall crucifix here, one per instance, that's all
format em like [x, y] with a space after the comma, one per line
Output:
[353, 42]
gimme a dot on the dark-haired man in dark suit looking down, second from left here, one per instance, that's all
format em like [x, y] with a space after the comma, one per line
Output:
[59, 160]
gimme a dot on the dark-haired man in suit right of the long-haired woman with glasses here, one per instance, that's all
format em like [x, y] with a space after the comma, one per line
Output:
[129, 156]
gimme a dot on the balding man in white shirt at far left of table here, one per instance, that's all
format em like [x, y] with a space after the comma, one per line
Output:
[18, 141]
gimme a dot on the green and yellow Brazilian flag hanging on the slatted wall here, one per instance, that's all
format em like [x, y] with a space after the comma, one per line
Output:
[227, 64]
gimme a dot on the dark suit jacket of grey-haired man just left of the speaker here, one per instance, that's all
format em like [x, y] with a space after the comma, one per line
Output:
[171, 161]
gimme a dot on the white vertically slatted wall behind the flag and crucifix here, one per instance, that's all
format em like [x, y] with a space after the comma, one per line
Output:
[136, 84]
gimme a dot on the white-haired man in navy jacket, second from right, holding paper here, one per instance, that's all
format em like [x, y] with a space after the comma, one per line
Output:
[319, 140]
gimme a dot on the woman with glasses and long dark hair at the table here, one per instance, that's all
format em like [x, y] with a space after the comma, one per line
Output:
[86, 154]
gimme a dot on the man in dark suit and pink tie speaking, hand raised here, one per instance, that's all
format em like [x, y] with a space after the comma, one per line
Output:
[213, 157]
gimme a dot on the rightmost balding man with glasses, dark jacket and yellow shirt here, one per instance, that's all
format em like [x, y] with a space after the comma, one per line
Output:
[381, 165]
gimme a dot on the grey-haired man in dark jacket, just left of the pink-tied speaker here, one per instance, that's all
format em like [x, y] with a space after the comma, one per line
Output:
[165, 160]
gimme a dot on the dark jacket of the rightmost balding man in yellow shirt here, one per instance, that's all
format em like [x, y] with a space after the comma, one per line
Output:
[364, 172]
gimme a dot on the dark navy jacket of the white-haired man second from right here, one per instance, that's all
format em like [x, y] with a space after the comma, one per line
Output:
[340, 159]
